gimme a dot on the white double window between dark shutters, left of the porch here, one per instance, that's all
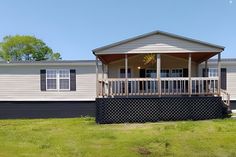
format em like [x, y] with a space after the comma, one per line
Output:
[58, 79]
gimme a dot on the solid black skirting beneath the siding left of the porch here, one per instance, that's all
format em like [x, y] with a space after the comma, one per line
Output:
[46, 109]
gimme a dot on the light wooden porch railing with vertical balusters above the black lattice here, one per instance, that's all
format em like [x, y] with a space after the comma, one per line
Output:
[150, 86]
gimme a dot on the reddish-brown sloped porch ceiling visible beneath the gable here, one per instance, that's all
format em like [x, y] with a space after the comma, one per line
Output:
[196, 57]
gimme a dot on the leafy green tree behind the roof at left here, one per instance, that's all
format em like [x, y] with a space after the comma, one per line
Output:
[26, 48]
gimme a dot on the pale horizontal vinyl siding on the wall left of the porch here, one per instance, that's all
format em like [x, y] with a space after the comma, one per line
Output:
[23, 83]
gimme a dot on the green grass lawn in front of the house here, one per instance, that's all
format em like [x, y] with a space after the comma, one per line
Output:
[82, 137]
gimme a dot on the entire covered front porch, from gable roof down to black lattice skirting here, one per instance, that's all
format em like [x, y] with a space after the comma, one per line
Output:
[155, 77]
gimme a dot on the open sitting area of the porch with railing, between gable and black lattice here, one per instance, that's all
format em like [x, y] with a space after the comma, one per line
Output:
[164, 75]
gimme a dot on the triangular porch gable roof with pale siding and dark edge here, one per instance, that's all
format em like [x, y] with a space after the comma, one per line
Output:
[158, 42]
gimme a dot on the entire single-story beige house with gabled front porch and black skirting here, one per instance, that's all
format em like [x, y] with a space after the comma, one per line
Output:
[121, 87]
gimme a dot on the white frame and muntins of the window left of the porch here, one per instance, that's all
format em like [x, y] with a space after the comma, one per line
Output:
[57, 80]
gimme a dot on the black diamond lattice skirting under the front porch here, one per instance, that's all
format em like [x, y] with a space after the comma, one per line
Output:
[122, 110]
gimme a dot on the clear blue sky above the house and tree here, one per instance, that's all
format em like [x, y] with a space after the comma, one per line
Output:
[76, 27]
